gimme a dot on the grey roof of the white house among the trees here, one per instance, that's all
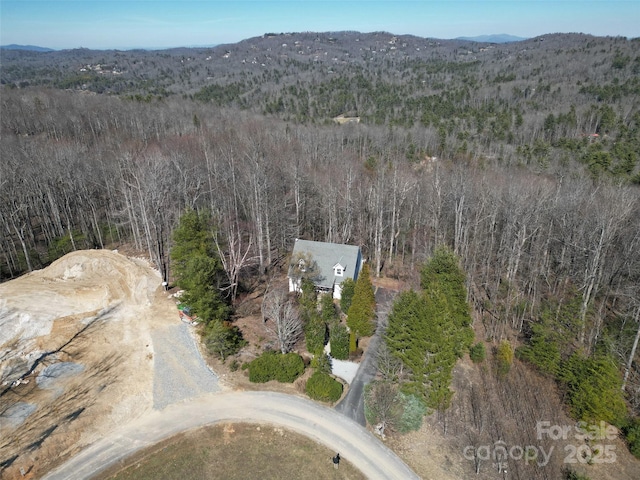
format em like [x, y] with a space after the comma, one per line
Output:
[327, 256]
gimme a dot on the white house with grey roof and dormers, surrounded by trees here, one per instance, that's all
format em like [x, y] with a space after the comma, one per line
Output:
[327, 265]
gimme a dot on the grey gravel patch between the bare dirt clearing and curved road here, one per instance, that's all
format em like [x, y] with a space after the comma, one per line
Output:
[180, 373]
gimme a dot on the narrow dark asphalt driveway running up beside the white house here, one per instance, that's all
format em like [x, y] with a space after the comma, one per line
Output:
[352, 405]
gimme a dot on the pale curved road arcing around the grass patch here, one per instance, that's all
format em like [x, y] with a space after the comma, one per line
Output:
[321, 424]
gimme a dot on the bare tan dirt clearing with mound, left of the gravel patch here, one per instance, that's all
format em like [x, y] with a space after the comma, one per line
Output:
[92, 312]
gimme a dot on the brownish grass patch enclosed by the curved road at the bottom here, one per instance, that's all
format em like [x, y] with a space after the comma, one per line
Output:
[234, 451]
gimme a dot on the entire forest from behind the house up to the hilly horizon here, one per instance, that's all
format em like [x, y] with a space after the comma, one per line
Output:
[522, 158]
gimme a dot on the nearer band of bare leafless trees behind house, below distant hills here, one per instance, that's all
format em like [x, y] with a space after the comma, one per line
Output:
[82, 171]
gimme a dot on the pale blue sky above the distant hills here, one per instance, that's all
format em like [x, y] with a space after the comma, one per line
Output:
[104, 24]
